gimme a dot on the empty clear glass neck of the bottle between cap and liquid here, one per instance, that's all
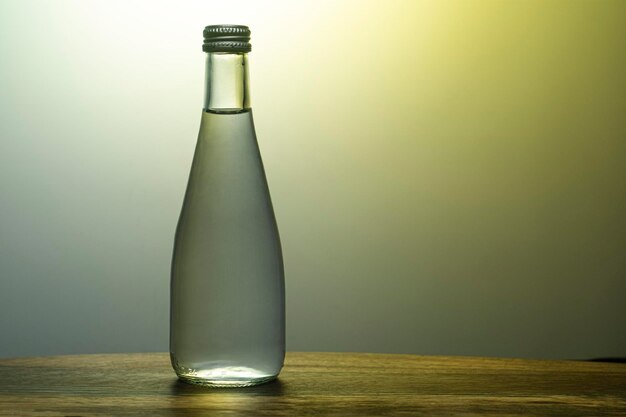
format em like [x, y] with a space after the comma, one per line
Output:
[226, 83]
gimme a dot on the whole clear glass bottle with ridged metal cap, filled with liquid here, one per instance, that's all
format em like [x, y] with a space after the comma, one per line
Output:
[227, 312]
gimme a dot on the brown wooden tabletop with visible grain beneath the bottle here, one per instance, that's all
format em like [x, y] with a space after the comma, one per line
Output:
[315, 384]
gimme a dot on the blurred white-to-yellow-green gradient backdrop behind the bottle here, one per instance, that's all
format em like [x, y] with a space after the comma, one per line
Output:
[448, 176]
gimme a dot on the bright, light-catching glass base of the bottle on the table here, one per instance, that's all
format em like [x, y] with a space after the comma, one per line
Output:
[227, 377]
